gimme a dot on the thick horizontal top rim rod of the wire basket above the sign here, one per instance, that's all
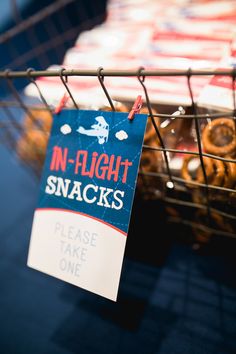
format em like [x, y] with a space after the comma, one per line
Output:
[118, 73]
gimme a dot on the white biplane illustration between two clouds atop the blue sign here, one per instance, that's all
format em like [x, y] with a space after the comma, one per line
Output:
[99, 129]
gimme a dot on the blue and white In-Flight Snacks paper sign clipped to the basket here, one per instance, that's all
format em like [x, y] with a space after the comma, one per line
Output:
[88, 183]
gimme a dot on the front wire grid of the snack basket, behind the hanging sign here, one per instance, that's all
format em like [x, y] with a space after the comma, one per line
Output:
[204, 200]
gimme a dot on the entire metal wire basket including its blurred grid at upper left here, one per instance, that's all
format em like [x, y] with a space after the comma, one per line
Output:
[203, 198]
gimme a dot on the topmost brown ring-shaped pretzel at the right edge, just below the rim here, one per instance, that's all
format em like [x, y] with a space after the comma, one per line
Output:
[215, 137]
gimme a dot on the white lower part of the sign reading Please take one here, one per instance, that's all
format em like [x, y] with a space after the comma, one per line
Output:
[78, 249]
